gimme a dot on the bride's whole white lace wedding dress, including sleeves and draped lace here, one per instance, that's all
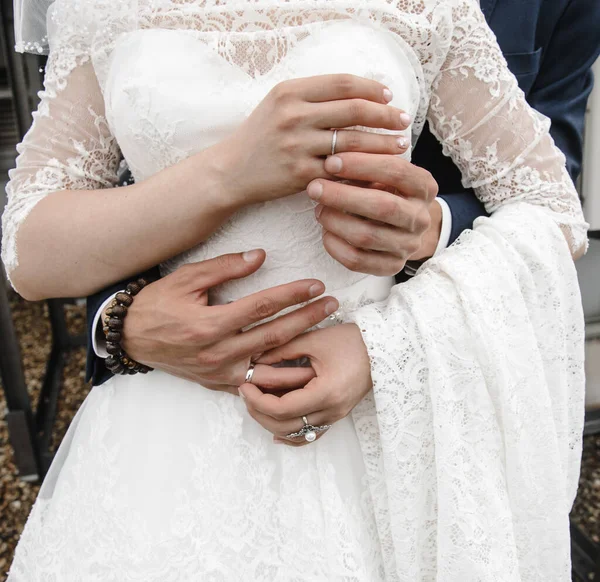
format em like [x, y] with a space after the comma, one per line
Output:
[462, 465]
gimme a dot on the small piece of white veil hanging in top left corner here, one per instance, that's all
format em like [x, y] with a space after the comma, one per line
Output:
[31, 31]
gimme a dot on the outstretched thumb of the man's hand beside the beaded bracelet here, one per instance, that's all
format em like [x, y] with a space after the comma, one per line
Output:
[212, 272]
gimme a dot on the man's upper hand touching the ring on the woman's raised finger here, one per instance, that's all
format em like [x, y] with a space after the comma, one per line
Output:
[382, 218]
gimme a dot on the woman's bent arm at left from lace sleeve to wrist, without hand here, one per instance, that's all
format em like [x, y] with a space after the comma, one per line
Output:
[87, 233]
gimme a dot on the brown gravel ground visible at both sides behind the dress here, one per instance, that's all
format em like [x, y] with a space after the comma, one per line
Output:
[17, 497]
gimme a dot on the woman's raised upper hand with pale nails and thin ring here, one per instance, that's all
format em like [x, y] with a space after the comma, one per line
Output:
[281, 147]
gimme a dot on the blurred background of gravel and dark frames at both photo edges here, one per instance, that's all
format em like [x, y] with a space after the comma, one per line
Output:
[42, 353]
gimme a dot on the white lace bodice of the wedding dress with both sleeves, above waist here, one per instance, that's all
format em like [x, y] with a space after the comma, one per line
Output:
[116, 70]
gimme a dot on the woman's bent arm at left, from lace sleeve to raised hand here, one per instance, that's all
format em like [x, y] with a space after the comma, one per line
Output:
[87, 234]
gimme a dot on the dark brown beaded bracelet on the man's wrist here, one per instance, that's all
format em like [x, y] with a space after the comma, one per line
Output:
[118, 362]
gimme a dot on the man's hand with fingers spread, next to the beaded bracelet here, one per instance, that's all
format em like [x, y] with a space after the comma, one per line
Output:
[171, 327]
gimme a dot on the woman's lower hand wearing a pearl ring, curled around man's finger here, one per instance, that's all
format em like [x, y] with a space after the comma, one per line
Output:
[340, 360]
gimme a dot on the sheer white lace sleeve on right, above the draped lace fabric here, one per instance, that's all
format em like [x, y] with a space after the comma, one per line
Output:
[501, 145]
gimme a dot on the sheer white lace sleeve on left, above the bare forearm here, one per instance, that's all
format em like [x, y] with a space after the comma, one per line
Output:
[68, 147]
